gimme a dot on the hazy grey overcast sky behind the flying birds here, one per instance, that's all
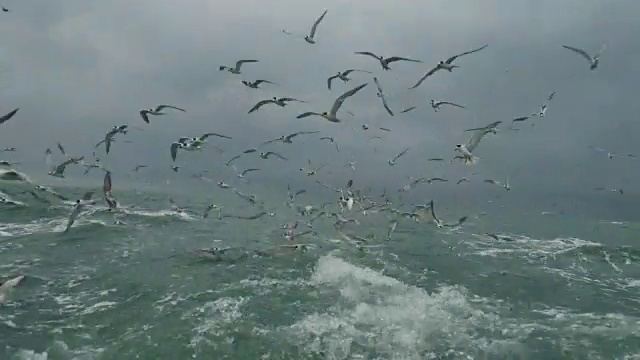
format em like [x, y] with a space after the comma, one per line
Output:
[76, 68]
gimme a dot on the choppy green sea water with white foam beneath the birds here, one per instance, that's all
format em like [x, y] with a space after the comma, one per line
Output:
[129, 286]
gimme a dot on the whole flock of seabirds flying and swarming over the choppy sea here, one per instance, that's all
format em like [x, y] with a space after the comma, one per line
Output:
[349, 200]
